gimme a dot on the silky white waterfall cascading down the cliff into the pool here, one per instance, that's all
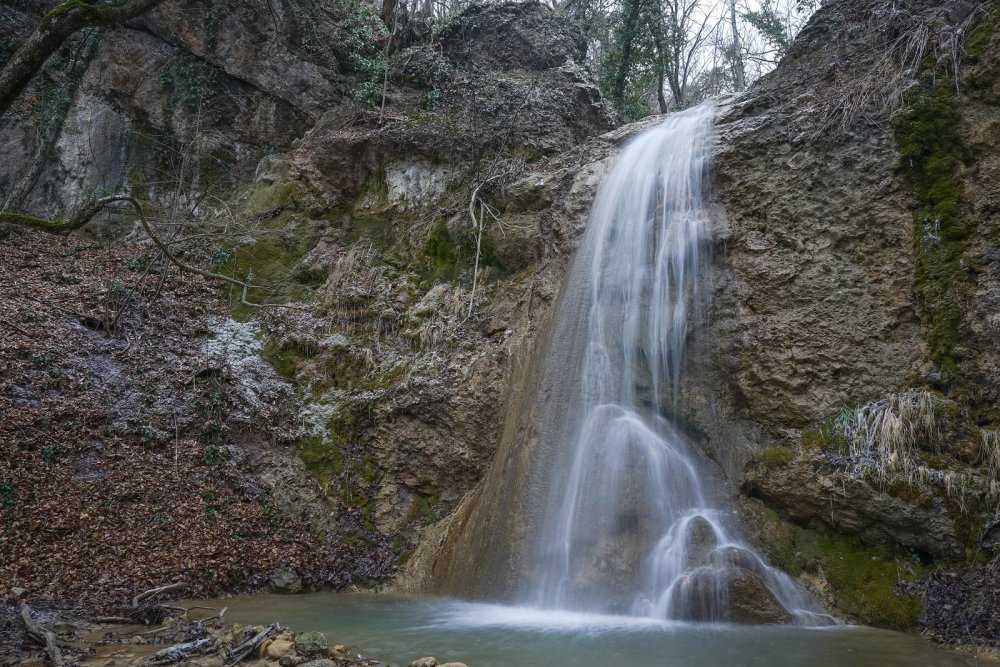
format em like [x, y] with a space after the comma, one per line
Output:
[629, 527]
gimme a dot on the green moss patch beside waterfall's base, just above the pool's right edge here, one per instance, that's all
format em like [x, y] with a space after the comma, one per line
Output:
[860, 581]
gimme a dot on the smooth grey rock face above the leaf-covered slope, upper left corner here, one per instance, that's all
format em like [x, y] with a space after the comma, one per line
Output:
[233, 76]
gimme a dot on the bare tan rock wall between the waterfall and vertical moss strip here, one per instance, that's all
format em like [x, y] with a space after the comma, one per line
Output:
[814, 291]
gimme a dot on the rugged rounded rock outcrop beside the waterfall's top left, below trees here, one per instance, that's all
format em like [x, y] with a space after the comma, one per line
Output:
[505, 78]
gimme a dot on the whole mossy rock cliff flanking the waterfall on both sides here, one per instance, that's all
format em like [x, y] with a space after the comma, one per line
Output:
[854, 278]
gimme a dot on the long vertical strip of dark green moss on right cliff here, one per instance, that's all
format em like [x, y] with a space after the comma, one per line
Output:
[929, 143]
